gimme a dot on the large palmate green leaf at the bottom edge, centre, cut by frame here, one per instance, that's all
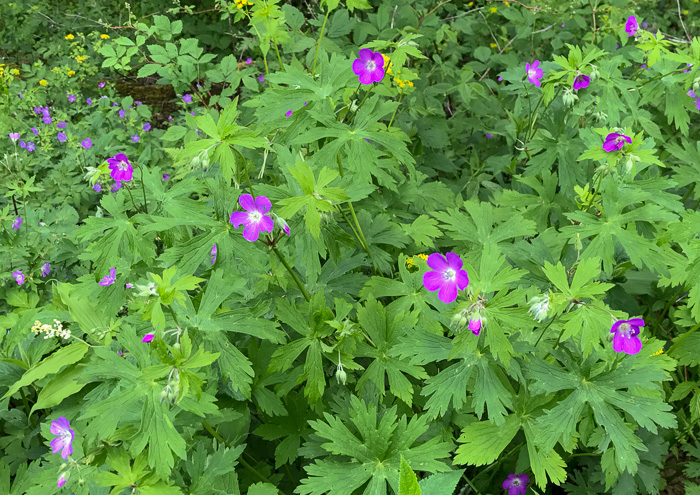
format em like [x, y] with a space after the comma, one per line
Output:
[365, 450]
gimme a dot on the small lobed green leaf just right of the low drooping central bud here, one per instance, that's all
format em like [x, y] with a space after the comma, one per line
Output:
[385, 329]
